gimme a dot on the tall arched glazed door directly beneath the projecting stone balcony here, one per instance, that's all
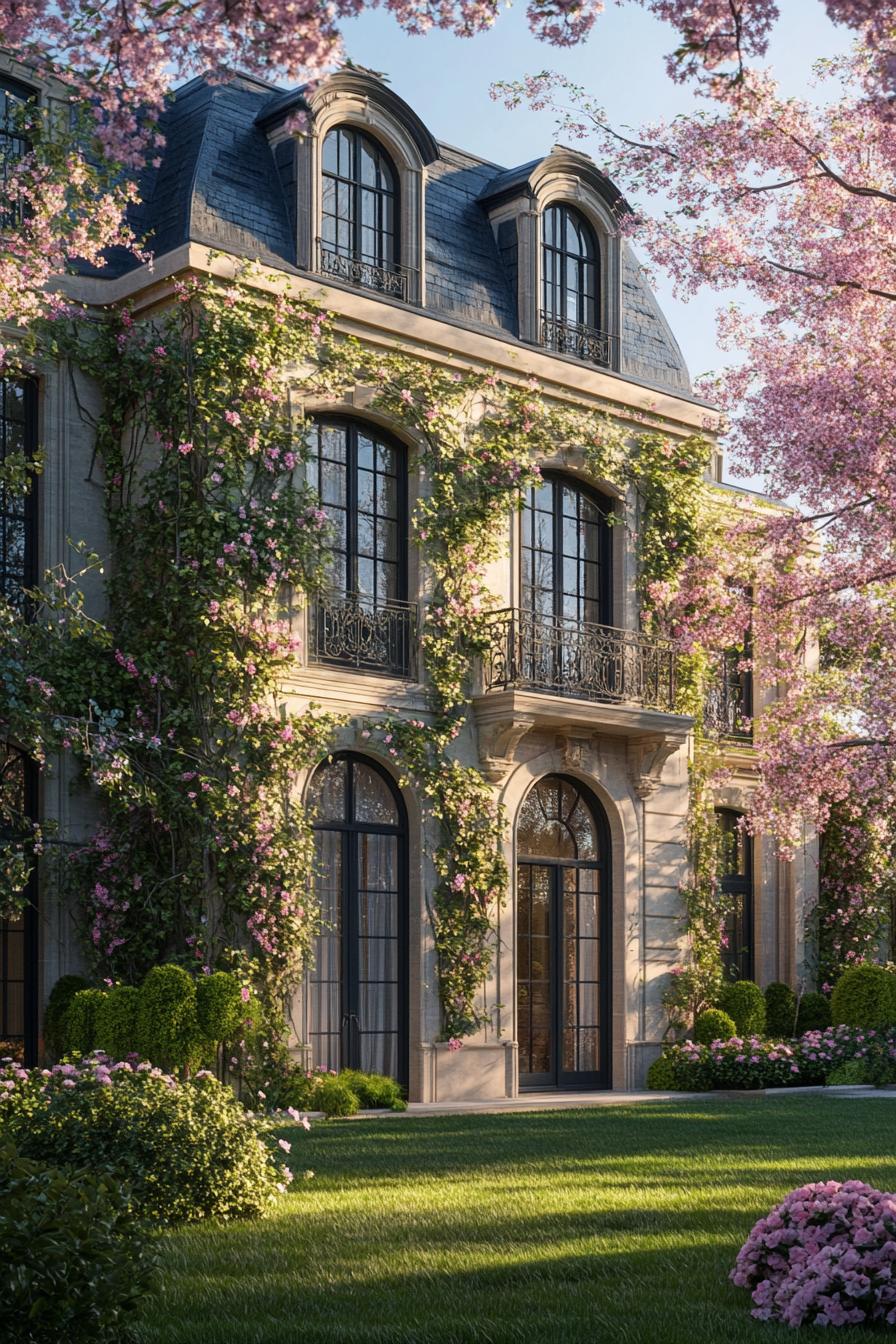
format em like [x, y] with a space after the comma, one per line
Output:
[564, 937]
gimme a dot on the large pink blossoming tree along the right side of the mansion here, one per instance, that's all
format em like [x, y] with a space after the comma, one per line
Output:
[793, 201]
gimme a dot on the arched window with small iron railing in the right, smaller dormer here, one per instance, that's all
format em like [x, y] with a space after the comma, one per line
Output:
[572, 287]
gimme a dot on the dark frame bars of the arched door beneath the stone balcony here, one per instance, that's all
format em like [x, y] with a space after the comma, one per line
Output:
[558, 1077]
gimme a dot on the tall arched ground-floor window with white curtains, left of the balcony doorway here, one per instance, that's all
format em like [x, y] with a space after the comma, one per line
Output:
[357, 993]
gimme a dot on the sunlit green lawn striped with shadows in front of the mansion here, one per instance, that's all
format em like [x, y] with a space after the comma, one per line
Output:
[611, 1225]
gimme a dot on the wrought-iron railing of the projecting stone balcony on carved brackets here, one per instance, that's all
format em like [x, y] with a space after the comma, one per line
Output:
[529, 651]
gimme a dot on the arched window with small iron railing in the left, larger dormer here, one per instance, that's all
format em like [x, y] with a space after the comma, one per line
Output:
[359, 214]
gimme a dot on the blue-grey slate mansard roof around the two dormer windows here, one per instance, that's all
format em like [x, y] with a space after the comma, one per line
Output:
[226, 182]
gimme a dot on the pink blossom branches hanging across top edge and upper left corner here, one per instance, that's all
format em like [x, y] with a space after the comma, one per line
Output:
[73, 170]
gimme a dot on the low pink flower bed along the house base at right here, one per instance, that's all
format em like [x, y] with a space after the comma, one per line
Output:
[750, 1062]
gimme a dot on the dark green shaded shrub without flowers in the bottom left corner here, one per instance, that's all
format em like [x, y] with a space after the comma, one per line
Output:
[76, 1263]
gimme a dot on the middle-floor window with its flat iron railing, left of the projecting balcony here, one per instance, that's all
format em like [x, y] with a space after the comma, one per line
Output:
[363, 616]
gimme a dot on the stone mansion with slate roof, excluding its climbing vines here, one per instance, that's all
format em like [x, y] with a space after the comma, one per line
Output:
[416, 244]
